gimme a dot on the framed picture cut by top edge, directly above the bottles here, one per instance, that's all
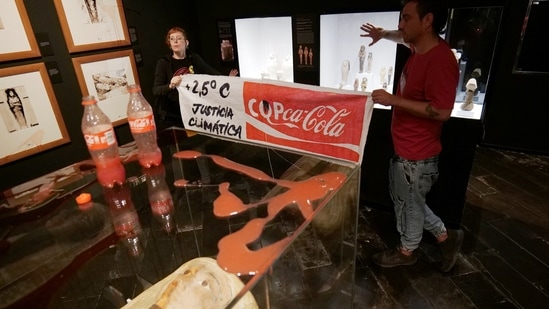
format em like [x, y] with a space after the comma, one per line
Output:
[92, 24]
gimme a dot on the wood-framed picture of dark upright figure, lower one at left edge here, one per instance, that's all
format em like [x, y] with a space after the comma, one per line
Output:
[30, 120]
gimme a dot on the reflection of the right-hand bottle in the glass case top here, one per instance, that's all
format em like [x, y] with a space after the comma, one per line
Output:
[160, 197]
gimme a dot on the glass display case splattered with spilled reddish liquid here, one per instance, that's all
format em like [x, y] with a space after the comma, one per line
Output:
[282, 223]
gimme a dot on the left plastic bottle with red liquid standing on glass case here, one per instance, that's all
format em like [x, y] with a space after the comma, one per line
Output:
[101, 141]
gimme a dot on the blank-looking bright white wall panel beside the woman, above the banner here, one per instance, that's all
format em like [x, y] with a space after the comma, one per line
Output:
[264, 48]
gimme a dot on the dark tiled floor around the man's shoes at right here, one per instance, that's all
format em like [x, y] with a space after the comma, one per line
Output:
[504, 261]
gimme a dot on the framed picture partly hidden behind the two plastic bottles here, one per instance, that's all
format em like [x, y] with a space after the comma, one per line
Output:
[106, 76]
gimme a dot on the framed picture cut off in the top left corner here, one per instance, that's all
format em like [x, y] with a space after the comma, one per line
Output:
[15, 28]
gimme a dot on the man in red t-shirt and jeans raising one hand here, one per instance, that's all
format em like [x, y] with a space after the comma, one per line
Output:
[424, 100]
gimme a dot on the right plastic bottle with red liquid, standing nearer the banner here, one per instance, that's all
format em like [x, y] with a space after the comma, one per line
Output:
[143, 128]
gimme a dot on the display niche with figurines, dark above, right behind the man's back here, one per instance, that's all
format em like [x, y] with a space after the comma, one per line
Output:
[472, 34]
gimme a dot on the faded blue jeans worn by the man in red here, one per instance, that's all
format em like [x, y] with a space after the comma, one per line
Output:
[409, 183]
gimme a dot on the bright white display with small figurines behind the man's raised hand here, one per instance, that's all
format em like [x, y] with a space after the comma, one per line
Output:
[346, 60]
